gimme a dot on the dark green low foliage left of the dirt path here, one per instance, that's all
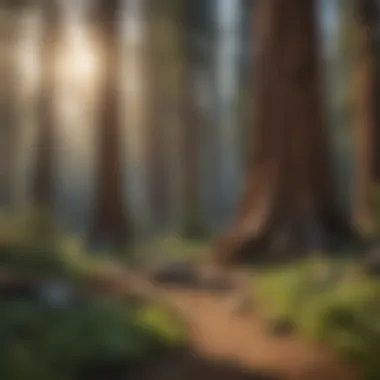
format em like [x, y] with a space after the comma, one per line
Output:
[43, 343]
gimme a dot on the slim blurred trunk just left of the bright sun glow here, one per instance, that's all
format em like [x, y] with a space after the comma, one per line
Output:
[43, 185]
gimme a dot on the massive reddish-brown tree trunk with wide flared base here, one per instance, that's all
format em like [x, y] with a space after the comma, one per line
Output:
[290, 205]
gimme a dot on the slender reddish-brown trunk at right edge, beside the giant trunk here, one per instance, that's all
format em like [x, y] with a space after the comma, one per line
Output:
[365, 115]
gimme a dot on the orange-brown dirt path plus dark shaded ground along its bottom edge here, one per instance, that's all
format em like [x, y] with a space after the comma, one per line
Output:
[241, 342]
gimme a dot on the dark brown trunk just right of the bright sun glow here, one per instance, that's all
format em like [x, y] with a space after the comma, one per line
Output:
[110, 228]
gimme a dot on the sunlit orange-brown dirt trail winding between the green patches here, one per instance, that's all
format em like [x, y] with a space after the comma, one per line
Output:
[215, 332]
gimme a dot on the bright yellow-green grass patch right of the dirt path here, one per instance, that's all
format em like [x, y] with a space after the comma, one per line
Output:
[344, 314]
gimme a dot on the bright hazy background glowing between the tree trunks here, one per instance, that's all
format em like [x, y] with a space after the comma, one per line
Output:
[206, 51]
